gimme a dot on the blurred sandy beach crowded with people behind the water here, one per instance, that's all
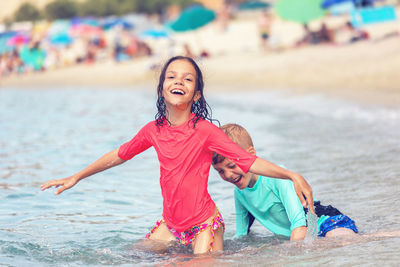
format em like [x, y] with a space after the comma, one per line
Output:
[125, 50]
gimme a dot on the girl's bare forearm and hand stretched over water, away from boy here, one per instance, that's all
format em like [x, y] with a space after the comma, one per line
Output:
[107, 161]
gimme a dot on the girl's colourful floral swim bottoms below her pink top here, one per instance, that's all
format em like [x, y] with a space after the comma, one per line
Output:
[188, 236]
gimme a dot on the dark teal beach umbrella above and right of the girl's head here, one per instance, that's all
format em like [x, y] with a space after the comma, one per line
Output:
[192, 19]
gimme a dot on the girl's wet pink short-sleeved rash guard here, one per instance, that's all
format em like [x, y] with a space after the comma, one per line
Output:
[185, 155]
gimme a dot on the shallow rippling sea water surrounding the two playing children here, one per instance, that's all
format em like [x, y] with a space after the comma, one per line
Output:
[348, 153]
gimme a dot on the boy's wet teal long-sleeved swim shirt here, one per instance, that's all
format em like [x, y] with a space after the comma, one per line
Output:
[273, 202]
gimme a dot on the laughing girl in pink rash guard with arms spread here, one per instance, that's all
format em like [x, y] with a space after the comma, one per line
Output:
[184, 139]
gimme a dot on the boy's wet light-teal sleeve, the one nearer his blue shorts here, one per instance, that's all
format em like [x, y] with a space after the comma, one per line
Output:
[291, 202]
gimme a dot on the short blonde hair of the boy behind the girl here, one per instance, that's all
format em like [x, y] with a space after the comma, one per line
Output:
[237, 134]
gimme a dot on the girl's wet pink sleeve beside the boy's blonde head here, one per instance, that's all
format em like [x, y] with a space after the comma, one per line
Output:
[220, 143]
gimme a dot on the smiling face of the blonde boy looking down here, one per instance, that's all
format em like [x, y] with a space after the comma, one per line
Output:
[230, 172]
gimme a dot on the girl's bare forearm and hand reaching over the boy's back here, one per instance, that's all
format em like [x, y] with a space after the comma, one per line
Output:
[303, 189]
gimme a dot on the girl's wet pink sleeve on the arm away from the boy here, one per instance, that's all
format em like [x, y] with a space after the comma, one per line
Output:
[139, 143]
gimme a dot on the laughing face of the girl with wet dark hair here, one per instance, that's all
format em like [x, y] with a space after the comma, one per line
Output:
[179, 87]
